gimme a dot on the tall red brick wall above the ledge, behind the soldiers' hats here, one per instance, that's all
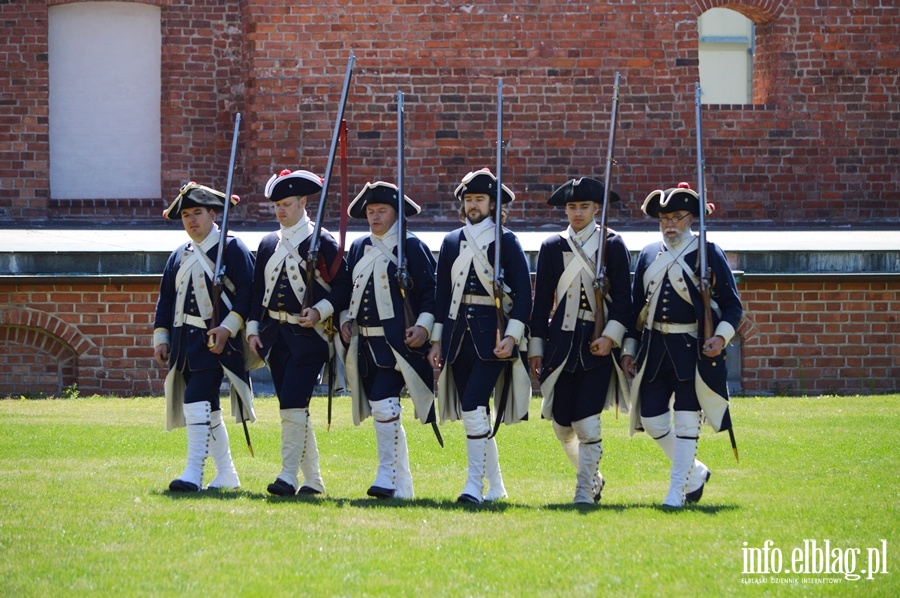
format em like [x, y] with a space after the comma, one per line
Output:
[819, 143]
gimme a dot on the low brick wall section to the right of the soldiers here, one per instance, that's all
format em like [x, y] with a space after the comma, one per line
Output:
[822, 337]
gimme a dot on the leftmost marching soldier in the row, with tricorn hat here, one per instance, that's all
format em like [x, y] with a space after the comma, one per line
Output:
[198, 357]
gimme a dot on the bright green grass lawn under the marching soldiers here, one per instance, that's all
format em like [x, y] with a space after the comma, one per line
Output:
[84, 508]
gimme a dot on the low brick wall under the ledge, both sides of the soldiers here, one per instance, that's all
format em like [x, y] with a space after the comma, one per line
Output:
[813, 338]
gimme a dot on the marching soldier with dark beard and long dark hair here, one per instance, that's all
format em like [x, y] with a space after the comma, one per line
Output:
[477, 357]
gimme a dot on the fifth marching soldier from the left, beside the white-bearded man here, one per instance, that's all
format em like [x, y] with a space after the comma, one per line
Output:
[579, 376]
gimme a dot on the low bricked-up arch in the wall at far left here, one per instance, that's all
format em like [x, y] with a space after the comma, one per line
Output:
[43, 353]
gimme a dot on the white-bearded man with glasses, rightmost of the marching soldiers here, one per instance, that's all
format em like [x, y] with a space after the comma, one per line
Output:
[665, 353]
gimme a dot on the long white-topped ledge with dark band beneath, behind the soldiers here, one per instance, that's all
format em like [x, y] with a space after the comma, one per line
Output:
[756, 254]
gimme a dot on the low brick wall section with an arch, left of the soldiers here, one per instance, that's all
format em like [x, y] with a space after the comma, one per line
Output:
[94, 335]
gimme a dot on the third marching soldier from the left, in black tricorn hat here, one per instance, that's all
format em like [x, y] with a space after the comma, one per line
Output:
[386, 353]
